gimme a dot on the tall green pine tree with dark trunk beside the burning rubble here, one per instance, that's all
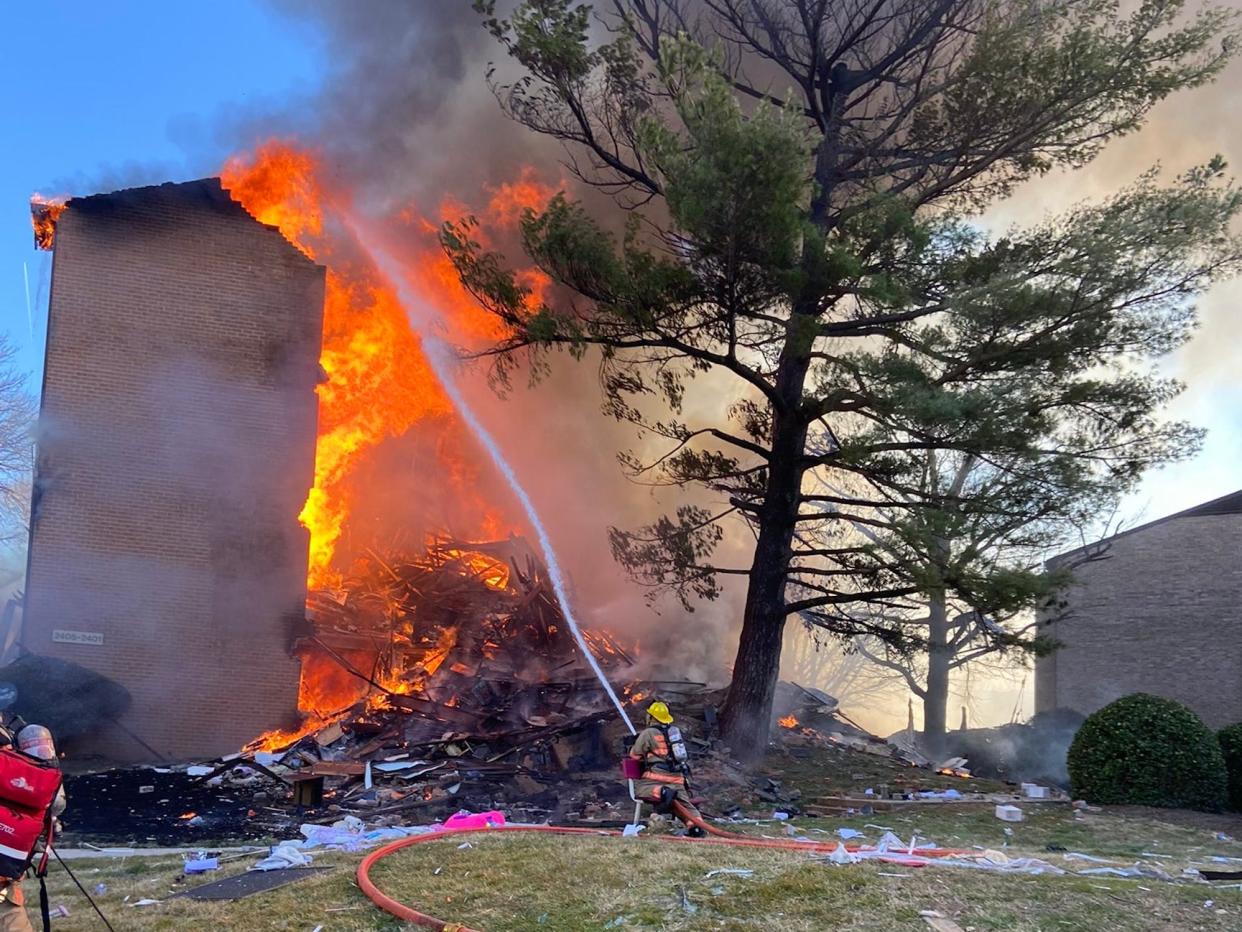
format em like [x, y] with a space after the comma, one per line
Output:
[794, 185]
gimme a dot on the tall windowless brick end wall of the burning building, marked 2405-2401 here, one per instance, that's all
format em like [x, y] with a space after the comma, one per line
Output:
[176, 449]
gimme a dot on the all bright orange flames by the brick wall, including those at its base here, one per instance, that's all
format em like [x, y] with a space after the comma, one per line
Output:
[378, 383]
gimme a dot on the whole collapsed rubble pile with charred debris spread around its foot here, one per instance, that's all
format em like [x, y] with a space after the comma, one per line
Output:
[464, 689]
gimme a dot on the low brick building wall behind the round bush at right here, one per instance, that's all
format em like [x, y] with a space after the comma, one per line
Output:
[1161, 613]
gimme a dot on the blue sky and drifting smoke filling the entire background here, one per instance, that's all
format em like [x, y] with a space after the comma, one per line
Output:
[394, 101]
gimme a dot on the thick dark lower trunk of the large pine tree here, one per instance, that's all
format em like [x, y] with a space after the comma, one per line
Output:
[746, 719]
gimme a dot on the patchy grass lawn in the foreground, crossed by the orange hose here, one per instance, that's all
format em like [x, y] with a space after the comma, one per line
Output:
[562, 884]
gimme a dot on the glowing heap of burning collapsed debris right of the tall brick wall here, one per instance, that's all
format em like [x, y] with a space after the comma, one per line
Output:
[463, 636]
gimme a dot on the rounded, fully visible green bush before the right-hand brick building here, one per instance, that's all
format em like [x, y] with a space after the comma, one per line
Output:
[1148, 751]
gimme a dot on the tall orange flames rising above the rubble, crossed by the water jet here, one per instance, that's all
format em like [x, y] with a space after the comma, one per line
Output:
[379, 385]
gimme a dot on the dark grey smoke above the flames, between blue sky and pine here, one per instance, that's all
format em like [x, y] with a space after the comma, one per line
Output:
[406, 114]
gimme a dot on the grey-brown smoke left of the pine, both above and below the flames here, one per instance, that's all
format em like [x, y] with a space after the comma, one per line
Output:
[408, 126]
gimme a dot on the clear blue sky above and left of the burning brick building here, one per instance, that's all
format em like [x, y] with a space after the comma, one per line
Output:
[96, 96]
